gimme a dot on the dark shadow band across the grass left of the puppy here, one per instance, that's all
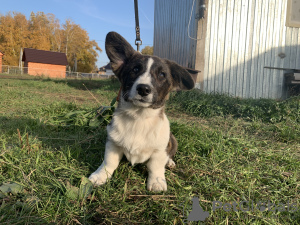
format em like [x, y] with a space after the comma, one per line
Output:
[84, 145]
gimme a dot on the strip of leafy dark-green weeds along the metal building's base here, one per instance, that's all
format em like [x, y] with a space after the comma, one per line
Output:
[266, 116]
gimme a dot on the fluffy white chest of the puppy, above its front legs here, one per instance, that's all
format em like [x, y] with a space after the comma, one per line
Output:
[139, 137]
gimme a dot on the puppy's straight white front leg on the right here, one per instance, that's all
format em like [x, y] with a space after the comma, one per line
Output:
[156, 167]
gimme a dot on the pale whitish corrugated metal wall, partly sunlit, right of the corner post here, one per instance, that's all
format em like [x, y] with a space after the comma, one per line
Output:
[244, 36]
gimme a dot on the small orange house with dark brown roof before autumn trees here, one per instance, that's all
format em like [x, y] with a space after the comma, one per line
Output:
[46, 63]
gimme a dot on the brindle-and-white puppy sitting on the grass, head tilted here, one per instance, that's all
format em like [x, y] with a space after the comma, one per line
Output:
[139, 128]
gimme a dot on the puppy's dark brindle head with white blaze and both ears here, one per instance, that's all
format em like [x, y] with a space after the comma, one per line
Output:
[146, 80]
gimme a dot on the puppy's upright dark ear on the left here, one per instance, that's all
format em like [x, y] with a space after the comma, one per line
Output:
[118, 51]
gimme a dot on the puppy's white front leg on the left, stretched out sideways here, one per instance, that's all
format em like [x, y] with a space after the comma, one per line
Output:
[112, 158]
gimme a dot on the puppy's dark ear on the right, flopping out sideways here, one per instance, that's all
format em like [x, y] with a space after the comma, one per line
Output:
[182, 79]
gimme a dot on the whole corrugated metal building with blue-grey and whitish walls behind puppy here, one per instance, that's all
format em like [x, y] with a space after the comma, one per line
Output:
[242, 47]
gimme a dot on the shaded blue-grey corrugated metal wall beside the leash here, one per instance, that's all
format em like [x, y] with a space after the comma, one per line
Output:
[171, 39]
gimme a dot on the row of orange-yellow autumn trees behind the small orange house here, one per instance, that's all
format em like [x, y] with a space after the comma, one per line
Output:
[44, 31]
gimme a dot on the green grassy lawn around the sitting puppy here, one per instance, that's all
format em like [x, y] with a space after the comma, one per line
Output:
[230, 150]
